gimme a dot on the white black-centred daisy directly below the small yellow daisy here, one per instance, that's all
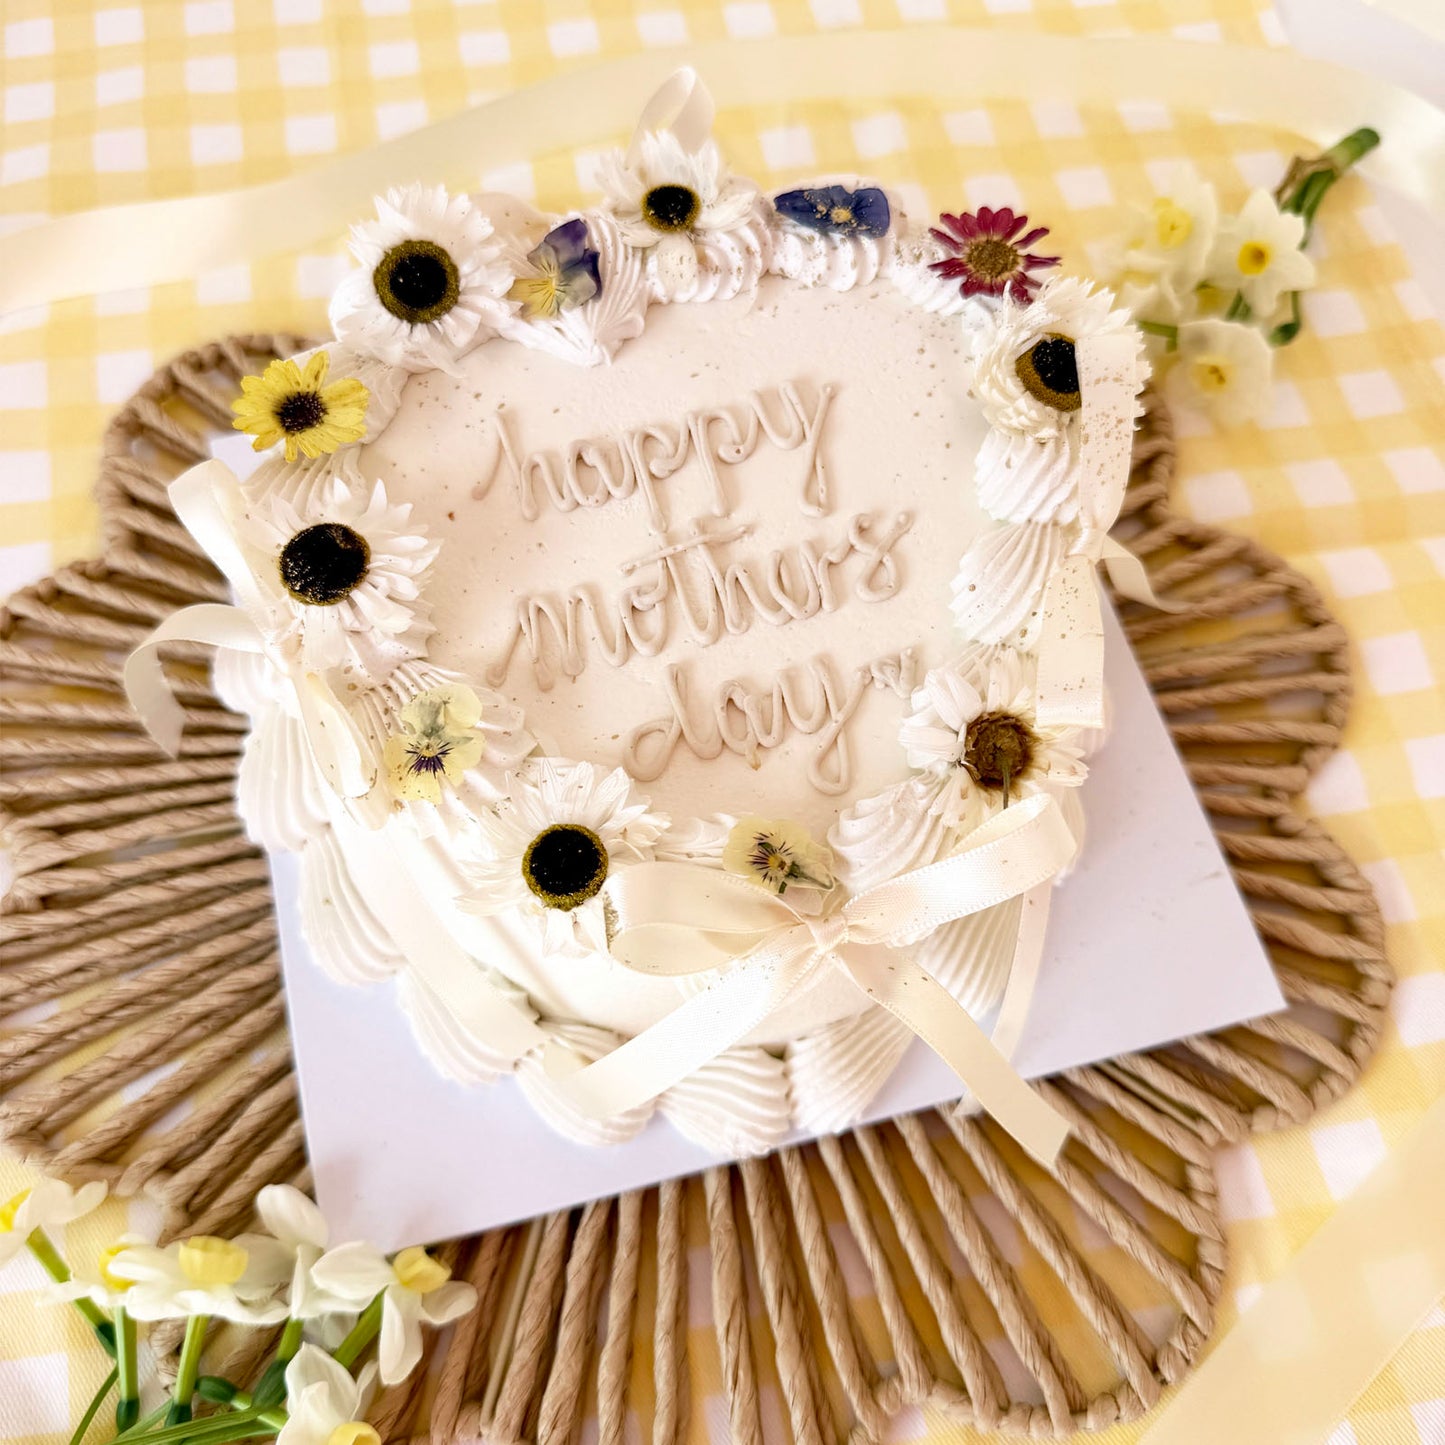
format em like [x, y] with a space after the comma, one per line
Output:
[342, 577]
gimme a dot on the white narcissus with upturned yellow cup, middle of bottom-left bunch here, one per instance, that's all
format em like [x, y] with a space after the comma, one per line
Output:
[232, 1280]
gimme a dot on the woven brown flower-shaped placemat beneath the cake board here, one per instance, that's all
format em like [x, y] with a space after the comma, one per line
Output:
[921, 1261]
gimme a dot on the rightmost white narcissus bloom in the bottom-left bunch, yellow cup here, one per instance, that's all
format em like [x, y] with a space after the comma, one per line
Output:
[415, 1291]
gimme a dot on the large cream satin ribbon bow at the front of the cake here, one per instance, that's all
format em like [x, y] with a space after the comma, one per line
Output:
[680, 918]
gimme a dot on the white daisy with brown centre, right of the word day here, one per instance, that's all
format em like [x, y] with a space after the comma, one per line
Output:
[973, 729]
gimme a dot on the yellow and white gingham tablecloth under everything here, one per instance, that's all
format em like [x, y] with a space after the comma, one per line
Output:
[1346, 478]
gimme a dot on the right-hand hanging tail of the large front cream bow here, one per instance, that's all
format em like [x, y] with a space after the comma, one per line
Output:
[946, 1027]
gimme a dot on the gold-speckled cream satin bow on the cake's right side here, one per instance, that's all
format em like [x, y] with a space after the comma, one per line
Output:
[1071, 642]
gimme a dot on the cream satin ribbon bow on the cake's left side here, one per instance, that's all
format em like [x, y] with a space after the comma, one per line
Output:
[209, 501]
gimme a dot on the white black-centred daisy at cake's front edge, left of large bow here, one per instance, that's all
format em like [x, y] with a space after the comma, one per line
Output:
[551, 846]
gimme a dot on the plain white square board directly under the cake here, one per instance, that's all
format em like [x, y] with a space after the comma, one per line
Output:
[1148, 943]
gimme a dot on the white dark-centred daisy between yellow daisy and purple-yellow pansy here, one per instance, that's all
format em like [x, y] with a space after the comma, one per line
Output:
[433, 280]
